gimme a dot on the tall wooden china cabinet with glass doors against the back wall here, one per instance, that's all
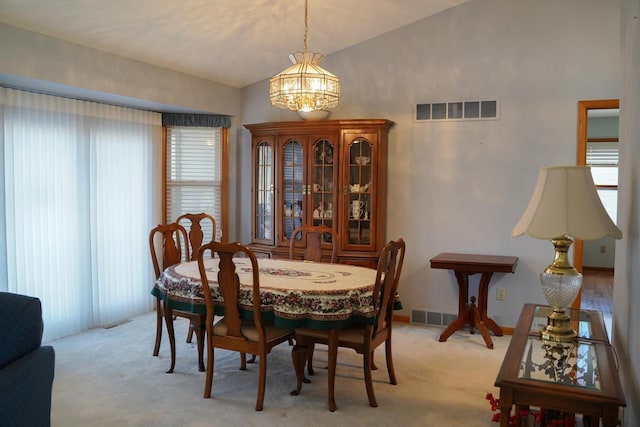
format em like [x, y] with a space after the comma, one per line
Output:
[323, 172]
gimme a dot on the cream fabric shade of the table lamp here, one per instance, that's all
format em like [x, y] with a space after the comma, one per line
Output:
[565, 203]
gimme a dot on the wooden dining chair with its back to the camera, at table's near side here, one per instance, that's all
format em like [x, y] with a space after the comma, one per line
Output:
[237, 330]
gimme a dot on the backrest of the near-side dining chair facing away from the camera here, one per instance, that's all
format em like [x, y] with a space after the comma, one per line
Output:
[229, 284]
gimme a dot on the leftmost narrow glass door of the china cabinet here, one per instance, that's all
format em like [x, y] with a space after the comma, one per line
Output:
[263, 192]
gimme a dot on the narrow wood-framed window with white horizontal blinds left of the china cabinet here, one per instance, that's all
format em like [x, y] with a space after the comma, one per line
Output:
[194, 174]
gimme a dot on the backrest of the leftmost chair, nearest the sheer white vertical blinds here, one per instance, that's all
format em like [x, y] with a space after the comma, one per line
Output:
[174, 236]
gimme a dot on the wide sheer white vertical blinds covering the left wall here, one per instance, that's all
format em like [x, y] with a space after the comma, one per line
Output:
[80, 194]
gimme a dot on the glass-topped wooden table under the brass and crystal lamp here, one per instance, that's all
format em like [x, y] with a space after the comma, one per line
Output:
[580, 377]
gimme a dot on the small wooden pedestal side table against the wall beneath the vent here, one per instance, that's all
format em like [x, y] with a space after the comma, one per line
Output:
[463, 266]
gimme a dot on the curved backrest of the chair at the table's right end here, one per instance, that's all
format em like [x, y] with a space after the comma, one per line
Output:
[389, 269]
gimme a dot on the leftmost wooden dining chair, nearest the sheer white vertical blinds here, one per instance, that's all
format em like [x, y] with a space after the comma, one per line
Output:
[172, 238]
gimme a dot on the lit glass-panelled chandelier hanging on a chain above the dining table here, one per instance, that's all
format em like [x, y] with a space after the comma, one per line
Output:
[305, 86]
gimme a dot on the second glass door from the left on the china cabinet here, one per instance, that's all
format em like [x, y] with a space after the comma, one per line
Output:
[292, 187]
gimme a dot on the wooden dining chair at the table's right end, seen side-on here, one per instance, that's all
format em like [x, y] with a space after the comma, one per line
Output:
[365, 338]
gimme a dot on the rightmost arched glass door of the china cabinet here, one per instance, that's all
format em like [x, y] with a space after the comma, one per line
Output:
[360, 206]
